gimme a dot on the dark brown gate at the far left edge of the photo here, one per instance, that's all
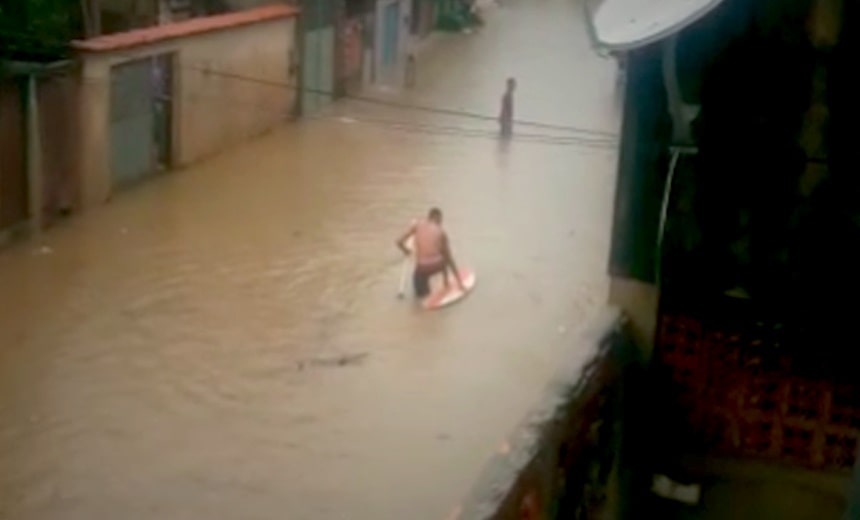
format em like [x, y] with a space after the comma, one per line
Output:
[13, 173]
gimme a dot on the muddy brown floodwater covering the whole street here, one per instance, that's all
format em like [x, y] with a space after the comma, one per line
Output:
[225, 342]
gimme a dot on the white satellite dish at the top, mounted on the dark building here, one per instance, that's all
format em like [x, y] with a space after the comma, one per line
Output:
[621, 25]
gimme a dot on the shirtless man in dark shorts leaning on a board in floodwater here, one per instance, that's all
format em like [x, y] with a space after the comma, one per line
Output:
[432, 253]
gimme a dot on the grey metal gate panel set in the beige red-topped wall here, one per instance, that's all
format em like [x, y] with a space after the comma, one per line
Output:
[132, 122]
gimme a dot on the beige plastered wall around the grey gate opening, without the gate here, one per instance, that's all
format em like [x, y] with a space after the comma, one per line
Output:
[230, 84]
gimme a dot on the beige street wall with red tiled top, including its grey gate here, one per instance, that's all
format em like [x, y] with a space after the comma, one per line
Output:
[167, 96]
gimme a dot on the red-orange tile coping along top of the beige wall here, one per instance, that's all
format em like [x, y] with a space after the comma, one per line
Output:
[190, 27]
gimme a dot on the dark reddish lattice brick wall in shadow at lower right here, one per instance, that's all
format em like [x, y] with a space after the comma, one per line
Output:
[739, 394]
